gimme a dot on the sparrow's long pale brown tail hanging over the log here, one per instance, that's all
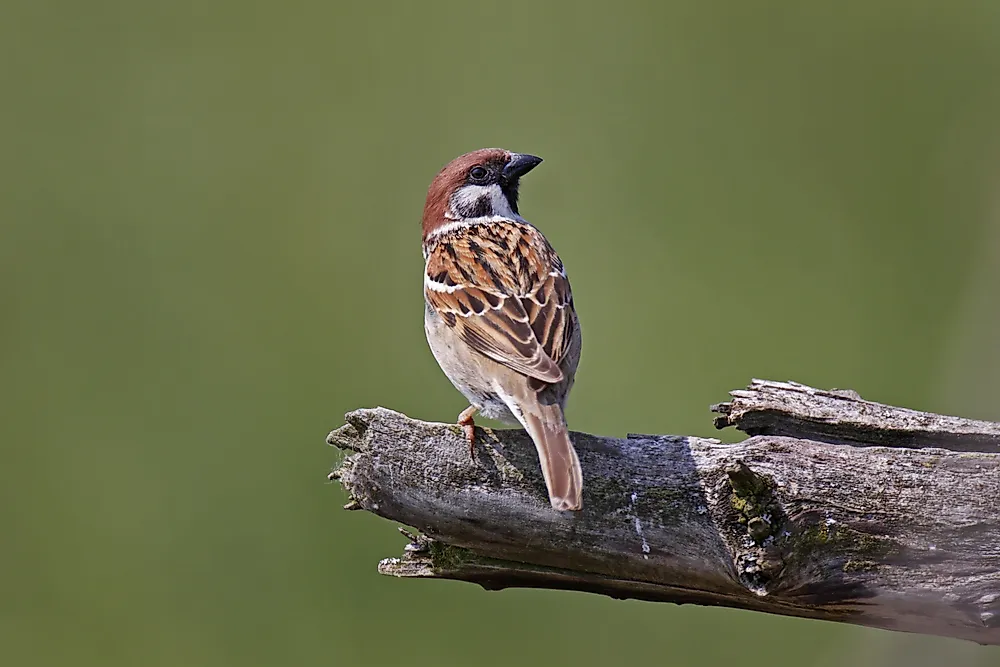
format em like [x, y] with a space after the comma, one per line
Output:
[560, 465]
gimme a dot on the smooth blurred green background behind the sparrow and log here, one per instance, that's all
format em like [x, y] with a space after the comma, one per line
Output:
[210, 252]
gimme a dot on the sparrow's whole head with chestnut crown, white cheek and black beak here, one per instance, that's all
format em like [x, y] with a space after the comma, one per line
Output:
[480, 184]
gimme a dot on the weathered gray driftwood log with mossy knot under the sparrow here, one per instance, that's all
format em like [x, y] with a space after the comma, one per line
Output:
[903, 534]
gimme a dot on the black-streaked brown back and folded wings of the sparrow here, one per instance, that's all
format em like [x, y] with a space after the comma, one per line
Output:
[506, 295]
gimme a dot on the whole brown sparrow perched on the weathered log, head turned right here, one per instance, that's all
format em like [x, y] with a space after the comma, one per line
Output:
[499, 313]
